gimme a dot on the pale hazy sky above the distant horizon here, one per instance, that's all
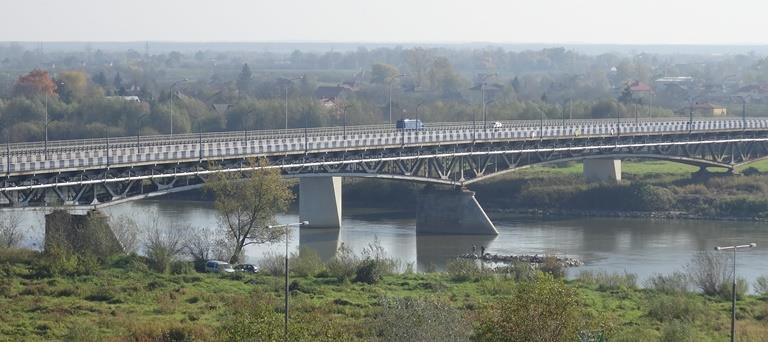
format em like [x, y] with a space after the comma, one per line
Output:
[501, 21]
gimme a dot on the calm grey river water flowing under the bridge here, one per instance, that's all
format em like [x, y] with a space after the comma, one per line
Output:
[640, 246]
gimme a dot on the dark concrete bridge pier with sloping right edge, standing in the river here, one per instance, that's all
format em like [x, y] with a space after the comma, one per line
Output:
[452, 212]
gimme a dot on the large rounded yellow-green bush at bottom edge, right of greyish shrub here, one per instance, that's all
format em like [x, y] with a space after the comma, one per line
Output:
[542, 310]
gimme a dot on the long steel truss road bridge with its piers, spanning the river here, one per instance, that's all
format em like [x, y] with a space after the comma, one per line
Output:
[92, 173]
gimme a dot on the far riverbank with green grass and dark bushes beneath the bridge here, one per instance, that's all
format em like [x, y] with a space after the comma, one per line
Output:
[650, 189]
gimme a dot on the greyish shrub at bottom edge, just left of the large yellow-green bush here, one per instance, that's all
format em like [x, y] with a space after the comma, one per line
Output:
[410, 319]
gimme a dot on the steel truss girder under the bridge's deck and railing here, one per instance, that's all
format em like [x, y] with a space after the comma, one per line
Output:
[459, 165]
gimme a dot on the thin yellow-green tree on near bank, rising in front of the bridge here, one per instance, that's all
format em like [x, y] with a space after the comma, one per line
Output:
[247, 202]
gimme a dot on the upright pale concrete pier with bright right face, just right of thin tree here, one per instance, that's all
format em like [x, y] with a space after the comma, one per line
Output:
[320, 201]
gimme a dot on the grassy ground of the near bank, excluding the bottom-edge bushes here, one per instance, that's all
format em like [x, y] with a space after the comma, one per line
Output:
[128, 303]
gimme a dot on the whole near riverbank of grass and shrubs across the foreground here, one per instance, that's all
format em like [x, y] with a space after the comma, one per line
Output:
[58, 295]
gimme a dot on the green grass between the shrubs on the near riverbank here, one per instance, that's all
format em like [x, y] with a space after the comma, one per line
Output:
[119, 304]
